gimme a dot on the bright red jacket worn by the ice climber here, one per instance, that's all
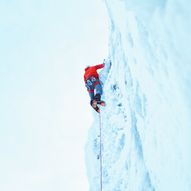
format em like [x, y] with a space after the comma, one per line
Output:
[92, 71]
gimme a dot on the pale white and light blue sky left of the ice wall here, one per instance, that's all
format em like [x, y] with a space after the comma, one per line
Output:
[44, 107]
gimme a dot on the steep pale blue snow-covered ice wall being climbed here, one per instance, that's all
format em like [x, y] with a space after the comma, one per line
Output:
[146, 125]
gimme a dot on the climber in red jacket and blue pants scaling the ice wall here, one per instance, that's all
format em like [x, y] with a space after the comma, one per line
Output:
[93, 85]
